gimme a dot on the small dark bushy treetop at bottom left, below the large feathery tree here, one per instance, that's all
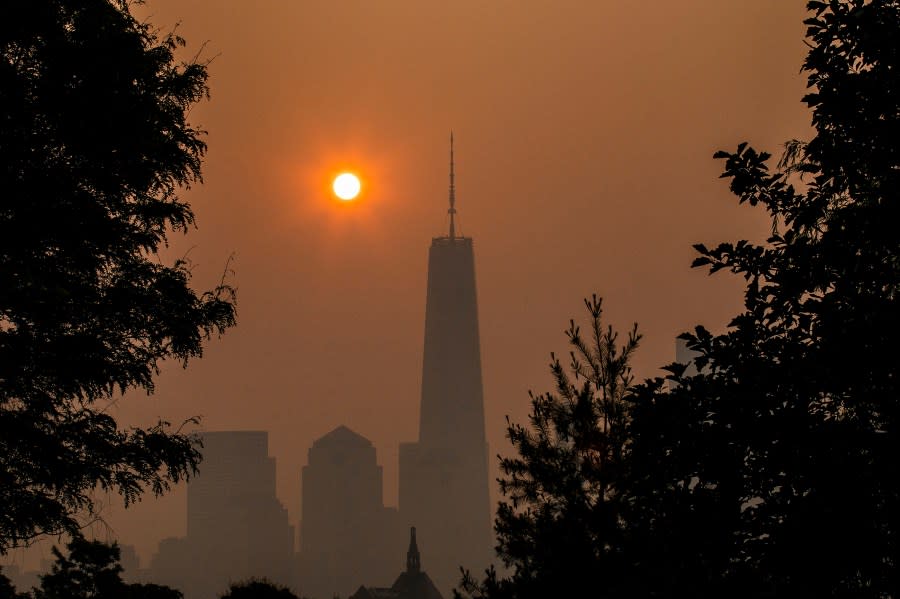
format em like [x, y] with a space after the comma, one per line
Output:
[91, 570]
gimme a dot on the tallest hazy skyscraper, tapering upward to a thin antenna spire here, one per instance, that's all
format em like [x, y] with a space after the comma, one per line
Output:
[443, 476]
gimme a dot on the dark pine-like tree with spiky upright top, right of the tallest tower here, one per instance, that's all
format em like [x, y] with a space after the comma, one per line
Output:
[558, 528]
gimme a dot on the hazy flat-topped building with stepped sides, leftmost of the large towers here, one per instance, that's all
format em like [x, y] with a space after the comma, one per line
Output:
[236, 527]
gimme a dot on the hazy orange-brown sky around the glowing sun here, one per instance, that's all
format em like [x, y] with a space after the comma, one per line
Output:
[584, 140]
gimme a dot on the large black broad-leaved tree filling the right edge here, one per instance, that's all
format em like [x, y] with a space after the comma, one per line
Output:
[774, 471]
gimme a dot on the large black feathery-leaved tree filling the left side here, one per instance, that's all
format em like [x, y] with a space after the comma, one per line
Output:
[94, 147]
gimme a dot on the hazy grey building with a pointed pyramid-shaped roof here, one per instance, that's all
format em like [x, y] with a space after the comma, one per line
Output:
[346, 533]
